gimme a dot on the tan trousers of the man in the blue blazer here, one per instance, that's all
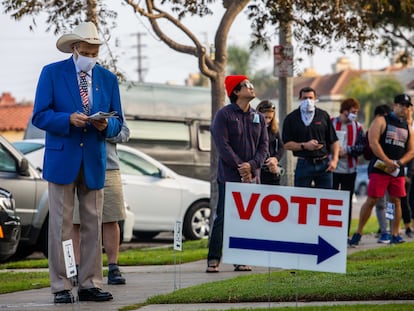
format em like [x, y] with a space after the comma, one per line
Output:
[61, 204]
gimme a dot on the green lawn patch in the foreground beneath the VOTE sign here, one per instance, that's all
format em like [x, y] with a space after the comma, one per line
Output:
[378, 274]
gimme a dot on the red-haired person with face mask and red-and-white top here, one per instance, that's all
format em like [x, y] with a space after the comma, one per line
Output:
[351, 145]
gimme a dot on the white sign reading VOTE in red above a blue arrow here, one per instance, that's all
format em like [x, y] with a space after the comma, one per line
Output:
[286, 227]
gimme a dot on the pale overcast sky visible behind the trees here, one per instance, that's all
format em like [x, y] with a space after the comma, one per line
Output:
[24, 53]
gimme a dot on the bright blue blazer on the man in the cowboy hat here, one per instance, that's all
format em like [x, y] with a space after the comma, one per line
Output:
[69, 147]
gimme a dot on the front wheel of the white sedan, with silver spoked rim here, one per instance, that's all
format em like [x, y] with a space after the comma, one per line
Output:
[197, 221]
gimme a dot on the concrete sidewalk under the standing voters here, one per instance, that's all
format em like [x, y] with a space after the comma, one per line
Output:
[147, 281]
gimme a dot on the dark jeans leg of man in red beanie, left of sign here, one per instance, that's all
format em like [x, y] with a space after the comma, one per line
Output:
[216, 238]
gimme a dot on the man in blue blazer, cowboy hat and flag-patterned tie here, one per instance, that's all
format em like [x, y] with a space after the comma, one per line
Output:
[75, 155]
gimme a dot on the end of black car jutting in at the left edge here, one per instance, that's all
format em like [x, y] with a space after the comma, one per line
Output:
[10, 228]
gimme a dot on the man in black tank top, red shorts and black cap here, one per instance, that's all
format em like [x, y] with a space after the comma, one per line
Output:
[392, 145]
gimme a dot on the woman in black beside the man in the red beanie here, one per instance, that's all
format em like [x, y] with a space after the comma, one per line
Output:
[271, 170]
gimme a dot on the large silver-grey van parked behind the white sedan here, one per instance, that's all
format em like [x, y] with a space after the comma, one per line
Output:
[170, 123]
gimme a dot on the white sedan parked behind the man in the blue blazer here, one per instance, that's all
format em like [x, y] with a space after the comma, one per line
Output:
[156, 195]
